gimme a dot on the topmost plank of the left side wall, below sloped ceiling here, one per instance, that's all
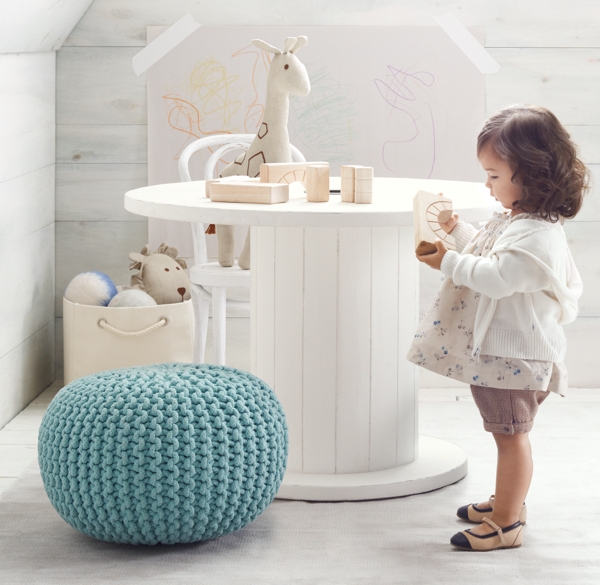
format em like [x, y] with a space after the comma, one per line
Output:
[27, 99]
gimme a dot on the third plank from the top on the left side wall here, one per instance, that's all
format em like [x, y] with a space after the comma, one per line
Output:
[27, 204]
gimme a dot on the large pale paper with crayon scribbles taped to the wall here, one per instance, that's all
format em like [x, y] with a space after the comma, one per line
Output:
[404, 100]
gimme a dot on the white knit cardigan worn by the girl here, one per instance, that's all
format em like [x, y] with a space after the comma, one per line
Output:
[529, 288]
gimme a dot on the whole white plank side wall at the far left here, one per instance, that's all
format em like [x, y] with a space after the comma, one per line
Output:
[27, 239]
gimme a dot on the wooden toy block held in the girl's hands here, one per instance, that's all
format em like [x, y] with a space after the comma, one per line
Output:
[429, 210]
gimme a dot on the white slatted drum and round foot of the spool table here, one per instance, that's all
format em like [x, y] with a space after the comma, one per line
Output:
[333, 314]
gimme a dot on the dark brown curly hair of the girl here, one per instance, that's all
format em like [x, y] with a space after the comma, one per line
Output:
[539, 151]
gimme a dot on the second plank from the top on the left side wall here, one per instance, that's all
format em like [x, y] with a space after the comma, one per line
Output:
[26, 152]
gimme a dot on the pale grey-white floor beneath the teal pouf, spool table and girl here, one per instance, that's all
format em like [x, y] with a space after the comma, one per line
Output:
[400, 540]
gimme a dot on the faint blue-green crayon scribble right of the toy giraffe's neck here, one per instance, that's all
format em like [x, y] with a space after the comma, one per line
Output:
[323, 121]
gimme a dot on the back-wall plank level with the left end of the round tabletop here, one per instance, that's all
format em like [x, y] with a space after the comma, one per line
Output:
[94, 192]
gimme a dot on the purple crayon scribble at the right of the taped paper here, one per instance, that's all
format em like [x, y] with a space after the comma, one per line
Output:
[415, 120]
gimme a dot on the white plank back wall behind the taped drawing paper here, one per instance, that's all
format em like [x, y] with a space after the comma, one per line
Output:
[549, 52]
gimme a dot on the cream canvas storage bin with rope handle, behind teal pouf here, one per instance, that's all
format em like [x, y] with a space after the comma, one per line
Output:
[105, 338]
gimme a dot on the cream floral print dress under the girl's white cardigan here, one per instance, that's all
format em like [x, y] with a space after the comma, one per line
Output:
[444, 339]
